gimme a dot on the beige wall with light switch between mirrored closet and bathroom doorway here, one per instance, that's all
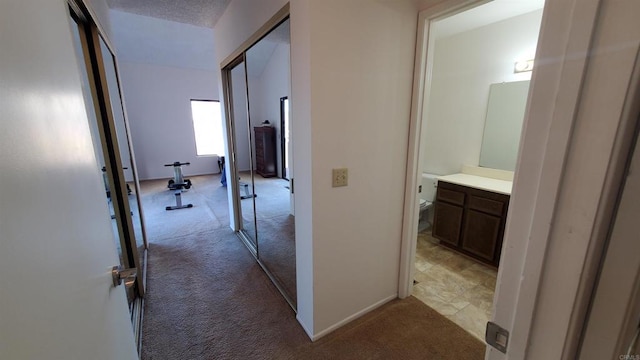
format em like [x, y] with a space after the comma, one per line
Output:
[350, 108]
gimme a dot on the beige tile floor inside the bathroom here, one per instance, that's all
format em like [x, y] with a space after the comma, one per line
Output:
[454, 285]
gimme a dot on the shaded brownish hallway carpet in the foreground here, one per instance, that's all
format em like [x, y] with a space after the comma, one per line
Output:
[208, 299]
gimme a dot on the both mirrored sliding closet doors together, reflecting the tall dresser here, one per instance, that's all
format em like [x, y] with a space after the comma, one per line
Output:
[255, 84]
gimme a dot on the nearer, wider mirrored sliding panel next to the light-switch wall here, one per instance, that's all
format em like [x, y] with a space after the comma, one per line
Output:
[269, 81]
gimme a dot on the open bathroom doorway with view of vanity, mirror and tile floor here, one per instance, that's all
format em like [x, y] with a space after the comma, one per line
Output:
[470, 90]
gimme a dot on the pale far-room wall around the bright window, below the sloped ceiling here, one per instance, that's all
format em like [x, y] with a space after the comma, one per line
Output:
[159, 110]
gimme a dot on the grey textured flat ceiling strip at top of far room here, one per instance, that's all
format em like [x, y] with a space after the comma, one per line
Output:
[203, 13]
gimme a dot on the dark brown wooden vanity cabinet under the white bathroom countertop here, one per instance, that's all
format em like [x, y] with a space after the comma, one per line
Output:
[470, 221]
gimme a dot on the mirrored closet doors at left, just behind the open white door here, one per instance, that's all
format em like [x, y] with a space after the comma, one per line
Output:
[109, 130]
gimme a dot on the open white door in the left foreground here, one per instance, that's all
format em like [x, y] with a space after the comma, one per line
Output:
[56, 243]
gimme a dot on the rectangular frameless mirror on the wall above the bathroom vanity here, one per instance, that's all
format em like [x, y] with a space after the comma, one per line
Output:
[503, 125]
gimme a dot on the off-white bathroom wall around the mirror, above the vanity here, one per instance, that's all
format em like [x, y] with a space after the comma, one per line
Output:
[465, 65]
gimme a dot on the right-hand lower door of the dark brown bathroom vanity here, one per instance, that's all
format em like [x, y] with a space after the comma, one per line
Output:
[481, 234]
